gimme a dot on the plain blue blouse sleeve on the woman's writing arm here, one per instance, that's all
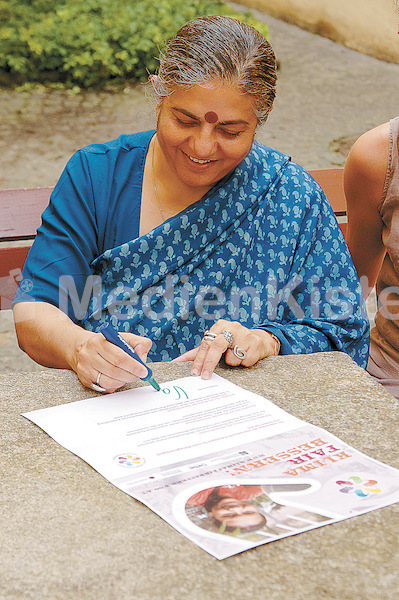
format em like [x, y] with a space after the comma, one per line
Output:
[99, 184]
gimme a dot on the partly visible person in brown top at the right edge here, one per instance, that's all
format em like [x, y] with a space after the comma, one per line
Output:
[372, 192]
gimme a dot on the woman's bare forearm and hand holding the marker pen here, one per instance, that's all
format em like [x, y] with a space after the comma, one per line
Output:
[53, 340]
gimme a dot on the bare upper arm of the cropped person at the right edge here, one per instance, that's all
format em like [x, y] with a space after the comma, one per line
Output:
[364, 178]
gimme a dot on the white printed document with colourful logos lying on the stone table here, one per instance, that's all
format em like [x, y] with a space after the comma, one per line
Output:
[225, 467]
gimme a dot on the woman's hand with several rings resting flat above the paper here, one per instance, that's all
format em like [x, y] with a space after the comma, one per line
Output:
[241, 346]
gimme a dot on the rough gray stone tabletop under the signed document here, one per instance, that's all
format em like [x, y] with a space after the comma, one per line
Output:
[68, 534]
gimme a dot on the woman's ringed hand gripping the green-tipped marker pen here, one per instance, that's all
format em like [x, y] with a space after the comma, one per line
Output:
[105, 367]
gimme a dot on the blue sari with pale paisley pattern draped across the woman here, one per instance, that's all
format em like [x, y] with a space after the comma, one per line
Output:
[262, 247]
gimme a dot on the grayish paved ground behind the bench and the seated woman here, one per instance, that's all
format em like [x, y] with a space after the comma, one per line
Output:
[327, 95]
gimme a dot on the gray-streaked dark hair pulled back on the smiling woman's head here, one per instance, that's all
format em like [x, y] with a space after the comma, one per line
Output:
[220, 49]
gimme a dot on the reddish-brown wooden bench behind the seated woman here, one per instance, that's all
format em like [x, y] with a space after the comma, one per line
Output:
[21, 210]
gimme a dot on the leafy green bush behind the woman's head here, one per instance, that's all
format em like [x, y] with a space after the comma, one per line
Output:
[90, 43]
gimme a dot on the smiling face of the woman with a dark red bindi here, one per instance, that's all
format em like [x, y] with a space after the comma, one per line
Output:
[205, 132]
